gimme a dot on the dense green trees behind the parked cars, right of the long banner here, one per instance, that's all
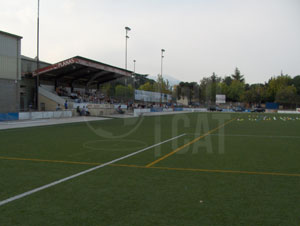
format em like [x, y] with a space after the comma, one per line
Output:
[282, 89]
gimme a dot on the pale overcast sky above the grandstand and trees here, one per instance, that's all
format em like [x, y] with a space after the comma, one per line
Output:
[260, 37]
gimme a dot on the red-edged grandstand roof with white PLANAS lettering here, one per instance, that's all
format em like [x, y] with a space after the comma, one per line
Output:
[81, 70]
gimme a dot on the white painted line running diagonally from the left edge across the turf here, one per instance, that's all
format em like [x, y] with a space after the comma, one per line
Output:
[81, 173]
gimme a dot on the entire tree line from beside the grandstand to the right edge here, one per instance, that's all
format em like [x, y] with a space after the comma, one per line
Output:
[282, 89]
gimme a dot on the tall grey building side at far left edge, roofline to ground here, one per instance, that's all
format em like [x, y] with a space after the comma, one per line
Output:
[10, 72]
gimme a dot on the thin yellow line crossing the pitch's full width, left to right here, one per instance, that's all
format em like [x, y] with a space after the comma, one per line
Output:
[156, 167]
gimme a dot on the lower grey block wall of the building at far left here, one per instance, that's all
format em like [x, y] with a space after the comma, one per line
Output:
[9, 96]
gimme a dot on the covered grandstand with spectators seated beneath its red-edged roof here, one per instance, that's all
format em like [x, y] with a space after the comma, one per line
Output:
[77, 81]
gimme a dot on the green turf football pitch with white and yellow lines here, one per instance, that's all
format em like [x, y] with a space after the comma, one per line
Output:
[184, 169]
